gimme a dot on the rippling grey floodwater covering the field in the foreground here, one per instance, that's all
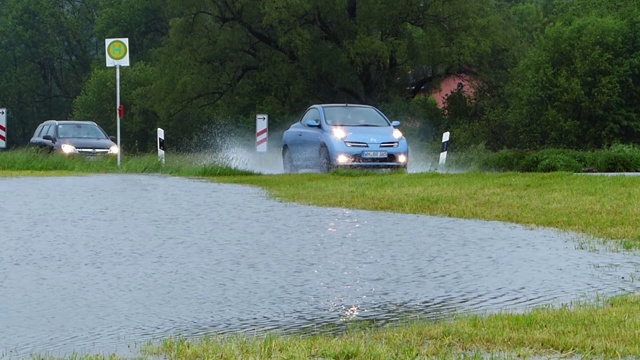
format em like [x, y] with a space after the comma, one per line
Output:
[106, 263]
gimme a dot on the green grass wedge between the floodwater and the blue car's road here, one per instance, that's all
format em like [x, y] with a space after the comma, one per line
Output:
[605, 207]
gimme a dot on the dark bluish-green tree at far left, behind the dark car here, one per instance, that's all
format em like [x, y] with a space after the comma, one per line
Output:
[48, 47]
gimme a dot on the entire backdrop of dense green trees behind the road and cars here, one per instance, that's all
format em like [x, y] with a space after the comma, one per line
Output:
[548, 73]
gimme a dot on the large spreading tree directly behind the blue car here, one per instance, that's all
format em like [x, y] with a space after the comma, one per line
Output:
[228, 59]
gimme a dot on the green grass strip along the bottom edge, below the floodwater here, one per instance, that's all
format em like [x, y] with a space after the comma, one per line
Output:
[608, 329]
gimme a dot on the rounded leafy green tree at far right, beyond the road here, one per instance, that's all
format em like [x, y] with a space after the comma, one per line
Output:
[578, 88]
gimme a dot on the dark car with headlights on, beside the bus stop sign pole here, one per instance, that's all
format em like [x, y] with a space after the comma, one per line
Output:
[73, 137]
